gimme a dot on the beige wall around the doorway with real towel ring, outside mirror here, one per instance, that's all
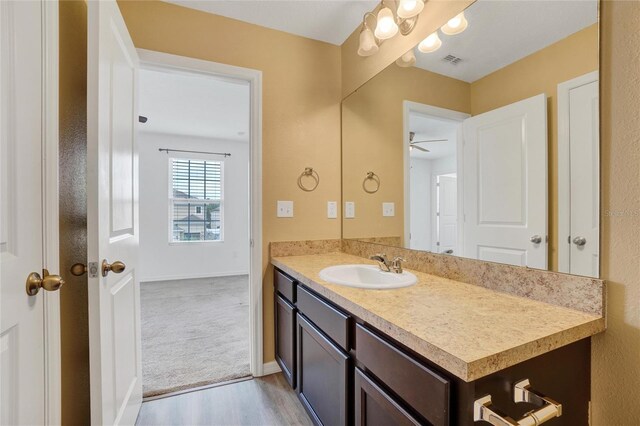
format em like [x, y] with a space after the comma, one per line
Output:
[300, 112]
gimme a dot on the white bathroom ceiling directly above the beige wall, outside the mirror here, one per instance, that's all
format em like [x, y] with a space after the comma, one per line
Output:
[331, 21]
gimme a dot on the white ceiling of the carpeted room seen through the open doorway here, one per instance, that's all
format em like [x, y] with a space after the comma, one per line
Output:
[191, 105]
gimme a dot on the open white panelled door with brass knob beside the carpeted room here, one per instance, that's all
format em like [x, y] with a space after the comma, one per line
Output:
[112, 218]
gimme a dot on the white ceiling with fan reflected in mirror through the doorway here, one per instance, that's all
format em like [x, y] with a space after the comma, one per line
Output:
[430, 128]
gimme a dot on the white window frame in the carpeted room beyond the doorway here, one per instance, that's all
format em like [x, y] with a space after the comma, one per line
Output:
[171, 200]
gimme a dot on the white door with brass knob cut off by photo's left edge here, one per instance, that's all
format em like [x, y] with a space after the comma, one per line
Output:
[22, 319]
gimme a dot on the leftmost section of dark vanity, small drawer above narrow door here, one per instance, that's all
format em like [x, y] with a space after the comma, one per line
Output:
[285, 326]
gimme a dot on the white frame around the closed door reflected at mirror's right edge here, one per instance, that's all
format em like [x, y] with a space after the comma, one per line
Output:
[564, 166]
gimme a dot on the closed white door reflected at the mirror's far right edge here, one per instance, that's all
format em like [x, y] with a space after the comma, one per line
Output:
[584, 155]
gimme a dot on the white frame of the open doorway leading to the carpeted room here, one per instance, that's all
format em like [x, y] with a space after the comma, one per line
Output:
[173, 63]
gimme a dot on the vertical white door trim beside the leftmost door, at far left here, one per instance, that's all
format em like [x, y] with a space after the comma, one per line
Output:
[50, 217]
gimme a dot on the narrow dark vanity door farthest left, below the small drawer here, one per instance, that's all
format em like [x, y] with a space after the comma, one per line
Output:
[285, 319]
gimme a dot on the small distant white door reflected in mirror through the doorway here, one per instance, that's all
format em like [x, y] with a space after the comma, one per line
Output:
[447, 213]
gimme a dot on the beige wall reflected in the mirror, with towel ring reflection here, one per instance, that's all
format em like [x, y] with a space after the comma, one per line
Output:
[372, 123]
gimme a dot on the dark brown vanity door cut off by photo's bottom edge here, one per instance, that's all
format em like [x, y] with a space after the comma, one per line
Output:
[374, 407]
